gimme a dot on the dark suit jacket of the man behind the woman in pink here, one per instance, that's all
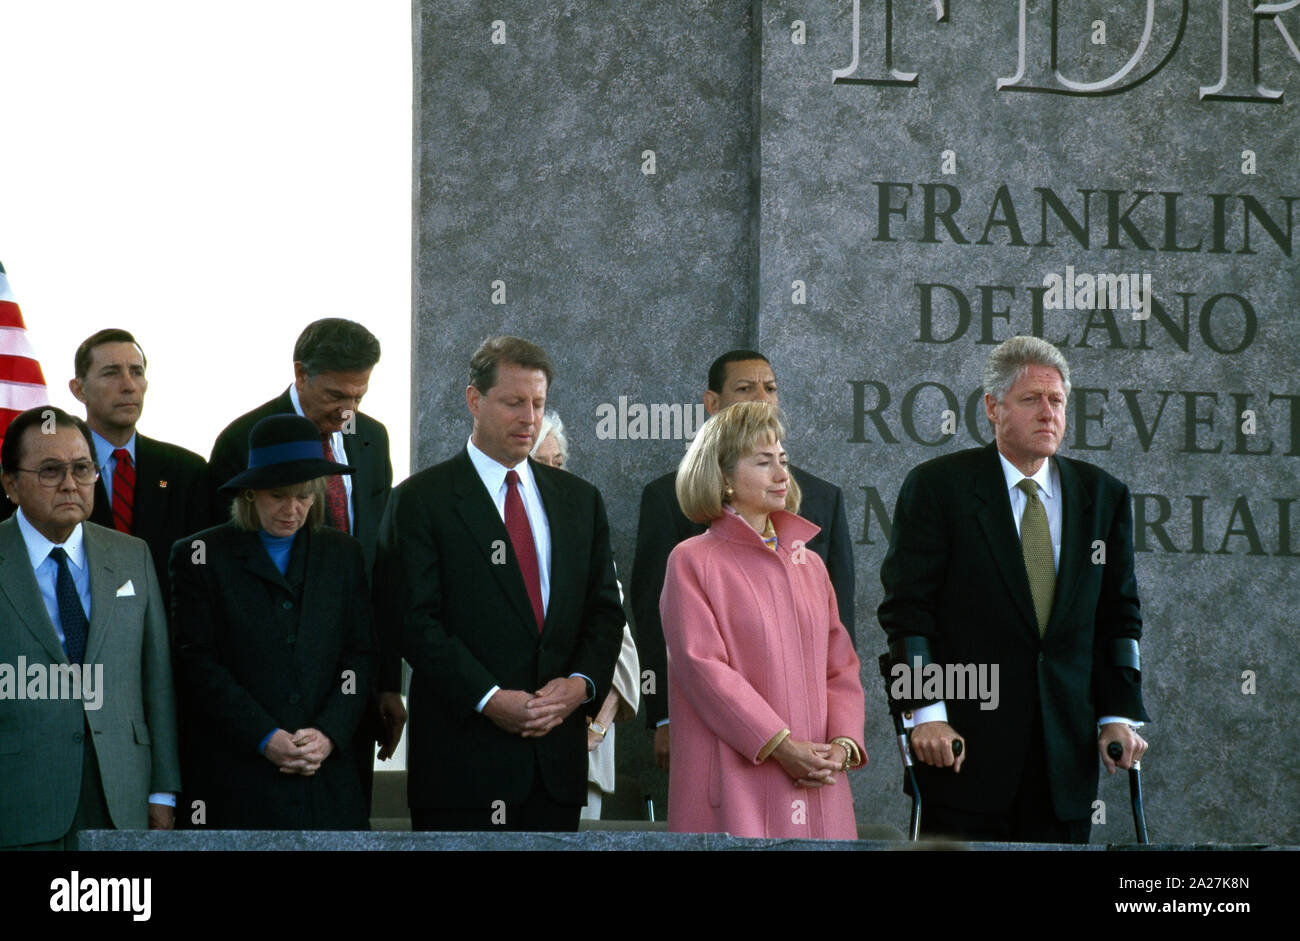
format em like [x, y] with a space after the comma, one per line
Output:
[664, 526]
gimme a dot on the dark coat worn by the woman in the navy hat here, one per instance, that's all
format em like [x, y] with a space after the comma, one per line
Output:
[259, 651]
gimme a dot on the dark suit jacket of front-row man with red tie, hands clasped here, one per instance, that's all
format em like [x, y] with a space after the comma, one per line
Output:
[466, 626]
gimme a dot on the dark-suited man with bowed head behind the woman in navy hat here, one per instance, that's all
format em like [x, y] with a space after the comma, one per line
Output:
[333, 359]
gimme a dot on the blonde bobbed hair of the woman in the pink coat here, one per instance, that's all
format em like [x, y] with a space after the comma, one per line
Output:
[730, 436]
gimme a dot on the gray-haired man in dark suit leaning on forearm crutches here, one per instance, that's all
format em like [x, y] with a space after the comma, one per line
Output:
[1015, 558]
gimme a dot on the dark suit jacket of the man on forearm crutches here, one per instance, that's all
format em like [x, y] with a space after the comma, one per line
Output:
[955, 575]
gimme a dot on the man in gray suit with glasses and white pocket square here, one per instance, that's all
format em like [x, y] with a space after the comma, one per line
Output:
[88, 725]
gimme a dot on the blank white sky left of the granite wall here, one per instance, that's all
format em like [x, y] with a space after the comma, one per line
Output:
[211, 177]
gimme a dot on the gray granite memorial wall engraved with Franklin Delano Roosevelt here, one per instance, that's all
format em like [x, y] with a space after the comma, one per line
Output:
[876, 193]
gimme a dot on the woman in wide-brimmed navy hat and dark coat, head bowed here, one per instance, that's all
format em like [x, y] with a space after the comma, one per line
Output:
[272, 626]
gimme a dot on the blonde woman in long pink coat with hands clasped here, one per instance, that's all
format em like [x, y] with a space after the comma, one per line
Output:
[764, 691]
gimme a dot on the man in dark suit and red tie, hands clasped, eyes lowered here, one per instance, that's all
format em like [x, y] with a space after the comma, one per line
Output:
[497, 575]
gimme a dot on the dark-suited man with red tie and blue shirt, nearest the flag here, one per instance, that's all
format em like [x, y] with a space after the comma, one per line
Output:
[146, 488]
